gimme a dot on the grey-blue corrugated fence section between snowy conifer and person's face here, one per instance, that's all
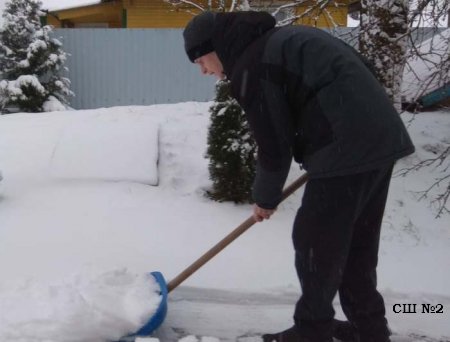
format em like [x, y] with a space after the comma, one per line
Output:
[115, 67]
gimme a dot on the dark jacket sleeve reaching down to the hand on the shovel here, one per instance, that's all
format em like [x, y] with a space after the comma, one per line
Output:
[270, 120]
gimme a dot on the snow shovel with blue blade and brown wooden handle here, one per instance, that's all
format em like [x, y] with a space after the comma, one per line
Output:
[156, 320]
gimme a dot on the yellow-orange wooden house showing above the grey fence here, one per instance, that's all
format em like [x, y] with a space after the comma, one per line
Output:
[162, 14]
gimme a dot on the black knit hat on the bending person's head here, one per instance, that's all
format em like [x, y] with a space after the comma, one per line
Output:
[198, 35]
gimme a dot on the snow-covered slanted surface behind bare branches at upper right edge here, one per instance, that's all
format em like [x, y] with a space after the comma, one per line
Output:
[420, 76]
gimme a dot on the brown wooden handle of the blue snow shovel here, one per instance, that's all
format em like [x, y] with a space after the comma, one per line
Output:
[229, 238]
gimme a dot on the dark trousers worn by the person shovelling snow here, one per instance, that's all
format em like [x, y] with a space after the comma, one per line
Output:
[336, 237]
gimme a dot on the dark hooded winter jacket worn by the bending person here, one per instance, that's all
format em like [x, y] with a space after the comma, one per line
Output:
[309, 96]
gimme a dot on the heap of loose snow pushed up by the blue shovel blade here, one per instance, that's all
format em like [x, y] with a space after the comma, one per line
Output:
[86, 307]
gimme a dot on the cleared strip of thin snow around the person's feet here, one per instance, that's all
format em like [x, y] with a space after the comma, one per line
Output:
[240, 316]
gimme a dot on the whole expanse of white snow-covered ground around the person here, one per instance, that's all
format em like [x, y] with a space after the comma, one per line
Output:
[93, 200]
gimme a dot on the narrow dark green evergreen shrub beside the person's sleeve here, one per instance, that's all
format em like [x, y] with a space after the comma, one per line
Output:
[231, 149]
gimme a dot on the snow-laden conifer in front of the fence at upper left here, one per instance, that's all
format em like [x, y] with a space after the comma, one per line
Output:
[31, 61]
